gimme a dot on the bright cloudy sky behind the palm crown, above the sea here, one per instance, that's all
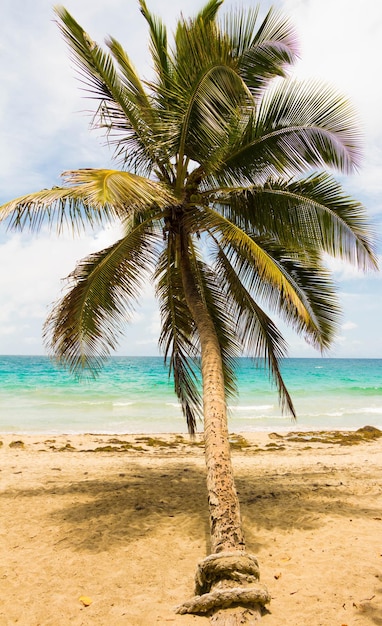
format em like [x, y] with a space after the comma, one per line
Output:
[44, 130]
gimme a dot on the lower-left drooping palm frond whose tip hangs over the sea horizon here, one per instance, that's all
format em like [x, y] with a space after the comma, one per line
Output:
[84, 326]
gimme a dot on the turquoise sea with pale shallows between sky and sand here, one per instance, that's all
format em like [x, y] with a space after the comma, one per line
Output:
[135, 395]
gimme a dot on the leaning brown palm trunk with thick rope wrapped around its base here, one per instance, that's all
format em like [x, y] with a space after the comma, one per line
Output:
[231, 567]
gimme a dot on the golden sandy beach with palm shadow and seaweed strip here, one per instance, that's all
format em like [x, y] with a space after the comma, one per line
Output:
[119, 524]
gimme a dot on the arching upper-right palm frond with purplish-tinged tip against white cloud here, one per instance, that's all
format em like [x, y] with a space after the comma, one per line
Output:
[298, 126]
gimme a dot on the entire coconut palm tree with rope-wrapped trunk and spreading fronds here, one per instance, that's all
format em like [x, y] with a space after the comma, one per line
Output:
[226, 204]
